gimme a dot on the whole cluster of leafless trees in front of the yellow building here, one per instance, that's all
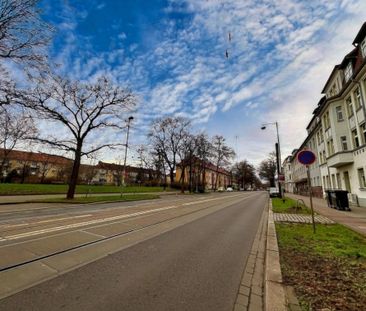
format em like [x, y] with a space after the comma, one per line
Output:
[173, 143]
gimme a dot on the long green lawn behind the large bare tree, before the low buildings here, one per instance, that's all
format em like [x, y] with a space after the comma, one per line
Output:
[22, 189]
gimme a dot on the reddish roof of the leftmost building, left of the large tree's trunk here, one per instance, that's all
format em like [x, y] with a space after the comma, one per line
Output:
[36, 157]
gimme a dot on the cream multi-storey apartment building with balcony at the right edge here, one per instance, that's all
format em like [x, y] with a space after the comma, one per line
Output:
[337, 131]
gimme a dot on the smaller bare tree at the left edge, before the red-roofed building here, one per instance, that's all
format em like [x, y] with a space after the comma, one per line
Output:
[15, 127]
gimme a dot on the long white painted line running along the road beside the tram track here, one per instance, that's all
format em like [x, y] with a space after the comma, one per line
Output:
[96, 221]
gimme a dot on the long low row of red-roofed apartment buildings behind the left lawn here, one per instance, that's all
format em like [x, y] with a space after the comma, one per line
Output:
[32, 167]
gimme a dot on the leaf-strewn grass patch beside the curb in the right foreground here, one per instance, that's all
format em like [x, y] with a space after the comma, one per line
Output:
[326, 269]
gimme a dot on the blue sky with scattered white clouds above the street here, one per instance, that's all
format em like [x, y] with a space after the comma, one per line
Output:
[172, 55]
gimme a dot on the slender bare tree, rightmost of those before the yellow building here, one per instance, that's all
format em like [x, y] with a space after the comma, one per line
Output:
[222, 154]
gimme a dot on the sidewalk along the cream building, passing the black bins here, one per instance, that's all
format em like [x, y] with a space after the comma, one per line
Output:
[355, 219]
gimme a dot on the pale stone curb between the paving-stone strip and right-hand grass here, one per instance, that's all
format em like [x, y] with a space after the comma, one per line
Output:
[275, 292]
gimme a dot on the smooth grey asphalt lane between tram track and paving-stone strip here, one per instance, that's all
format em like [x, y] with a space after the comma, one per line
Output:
[197, 266]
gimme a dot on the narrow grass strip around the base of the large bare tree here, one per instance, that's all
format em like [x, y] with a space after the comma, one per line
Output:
[95, 199]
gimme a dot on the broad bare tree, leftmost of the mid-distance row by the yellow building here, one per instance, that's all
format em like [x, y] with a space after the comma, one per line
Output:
[167, 137]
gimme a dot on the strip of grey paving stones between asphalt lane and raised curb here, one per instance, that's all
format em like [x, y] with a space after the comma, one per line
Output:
[251, 291]
